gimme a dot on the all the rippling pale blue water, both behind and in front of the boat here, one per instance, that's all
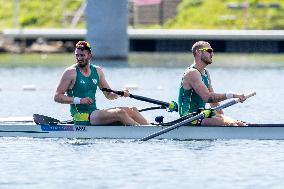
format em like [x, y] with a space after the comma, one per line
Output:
[72, 163]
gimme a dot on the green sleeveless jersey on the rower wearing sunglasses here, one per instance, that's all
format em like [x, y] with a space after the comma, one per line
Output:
[189, 101]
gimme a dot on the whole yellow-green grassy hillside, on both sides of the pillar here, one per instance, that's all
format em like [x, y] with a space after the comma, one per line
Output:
[193, 14]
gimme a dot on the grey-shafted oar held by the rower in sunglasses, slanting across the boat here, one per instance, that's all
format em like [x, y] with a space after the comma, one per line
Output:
[202, 115]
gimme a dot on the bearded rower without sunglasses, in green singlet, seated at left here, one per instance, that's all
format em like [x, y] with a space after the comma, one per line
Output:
[78, 86]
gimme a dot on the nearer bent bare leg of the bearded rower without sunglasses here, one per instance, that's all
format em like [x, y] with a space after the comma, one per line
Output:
[109, 116]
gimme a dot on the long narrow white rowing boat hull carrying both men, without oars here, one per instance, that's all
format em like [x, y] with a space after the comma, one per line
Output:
[30, 129]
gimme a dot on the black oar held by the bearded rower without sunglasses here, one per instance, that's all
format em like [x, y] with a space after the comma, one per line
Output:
[172, 106]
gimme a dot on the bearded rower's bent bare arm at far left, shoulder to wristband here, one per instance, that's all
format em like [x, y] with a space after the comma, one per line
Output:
[64, 84]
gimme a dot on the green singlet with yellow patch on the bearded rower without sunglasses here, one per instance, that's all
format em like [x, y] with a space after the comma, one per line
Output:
[84, 87]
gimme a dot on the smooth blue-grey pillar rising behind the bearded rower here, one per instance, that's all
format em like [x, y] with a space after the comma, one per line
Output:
[107, 23]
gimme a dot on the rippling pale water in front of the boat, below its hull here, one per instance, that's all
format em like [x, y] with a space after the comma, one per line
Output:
[47, 163]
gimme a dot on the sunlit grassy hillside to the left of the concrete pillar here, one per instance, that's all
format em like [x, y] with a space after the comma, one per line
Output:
[38, 13]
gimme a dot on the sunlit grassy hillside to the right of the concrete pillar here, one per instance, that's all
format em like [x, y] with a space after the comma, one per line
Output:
[229, 14]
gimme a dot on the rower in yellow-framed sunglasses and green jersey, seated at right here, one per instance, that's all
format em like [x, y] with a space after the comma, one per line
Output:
[196, 89]
